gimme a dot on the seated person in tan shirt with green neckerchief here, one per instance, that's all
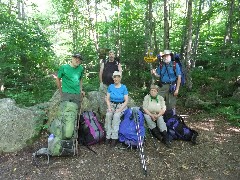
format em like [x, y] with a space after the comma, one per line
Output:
[154, 108]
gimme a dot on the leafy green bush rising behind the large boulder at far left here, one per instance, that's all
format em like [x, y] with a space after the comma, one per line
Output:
[26, 59]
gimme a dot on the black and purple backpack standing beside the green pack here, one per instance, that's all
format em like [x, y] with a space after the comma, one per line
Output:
[90, 129]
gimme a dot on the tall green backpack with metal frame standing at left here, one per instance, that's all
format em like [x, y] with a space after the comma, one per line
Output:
[63, 129]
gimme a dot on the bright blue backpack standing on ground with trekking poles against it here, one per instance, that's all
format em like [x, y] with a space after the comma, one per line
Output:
[131, 129]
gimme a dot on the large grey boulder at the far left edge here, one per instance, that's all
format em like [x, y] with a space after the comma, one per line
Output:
[18, 125]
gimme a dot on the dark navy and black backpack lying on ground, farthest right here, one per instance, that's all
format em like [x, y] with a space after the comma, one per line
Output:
[177, 129]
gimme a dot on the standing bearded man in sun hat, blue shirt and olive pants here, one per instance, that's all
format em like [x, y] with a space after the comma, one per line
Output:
[170, 80]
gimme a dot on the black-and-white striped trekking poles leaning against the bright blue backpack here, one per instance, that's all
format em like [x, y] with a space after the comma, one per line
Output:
[140, 141]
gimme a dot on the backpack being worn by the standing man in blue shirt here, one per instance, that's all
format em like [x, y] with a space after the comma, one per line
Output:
[176, 60]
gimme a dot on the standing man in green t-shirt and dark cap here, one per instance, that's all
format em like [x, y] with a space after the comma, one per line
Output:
[69, 80]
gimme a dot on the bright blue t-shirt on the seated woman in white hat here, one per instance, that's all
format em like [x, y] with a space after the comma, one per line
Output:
[117, 94]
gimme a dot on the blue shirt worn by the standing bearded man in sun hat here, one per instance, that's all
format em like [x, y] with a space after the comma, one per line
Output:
[167, 72]
